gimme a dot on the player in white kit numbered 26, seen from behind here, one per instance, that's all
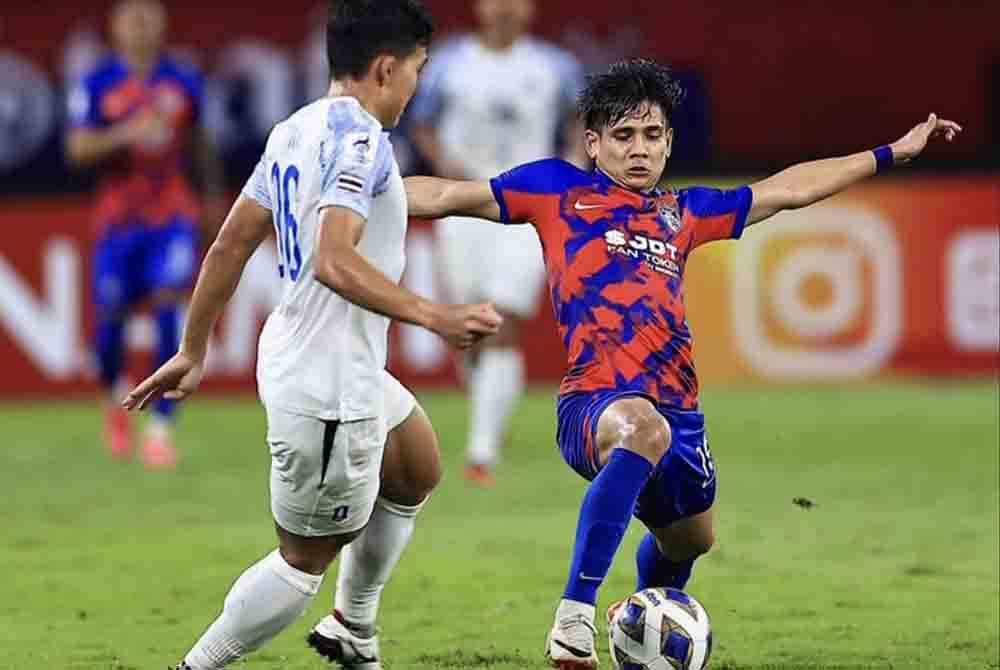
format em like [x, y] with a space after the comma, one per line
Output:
[329, 185]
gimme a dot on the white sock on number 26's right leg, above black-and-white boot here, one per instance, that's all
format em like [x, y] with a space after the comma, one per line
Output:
[367, 563]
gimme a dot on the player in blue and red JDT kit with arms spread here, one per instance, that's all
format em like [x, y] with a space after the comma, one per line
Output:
[615, 248]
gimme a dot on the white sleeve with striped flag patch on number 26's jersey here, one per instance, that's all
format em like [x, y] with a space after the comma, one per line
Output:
[352, 159]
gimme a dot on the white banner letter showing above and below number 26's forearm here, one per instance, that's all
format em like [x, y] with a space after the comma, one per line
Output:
[422, 350]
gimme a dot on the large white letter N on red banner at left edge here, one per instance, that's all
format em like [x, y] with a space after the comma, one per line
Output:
[46, 330]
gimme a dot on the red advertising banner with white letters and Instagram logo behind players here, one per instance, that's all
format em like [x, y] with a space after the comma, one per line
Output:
[899, 276]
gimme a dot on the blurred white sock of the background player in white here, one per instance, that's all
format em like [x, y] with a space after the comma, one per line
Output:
[494, 391]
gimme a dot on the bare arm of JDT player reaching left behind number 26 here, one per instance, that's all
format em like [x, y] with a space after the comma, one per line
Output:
[432, 198]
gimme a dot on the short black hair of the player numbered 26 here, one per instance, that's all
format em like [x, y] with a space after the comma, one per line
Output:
[359, 30]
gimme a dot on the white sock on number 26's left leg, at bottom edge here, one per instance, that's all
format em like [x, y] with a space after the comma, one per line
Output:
[262, 602]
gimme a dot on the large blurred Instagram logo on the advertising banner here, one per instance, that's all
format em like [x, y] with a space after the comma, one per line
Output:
[816, 293]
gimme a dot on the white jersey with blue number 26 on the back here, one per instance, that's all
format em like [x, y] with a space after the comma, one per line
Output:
[319, 354]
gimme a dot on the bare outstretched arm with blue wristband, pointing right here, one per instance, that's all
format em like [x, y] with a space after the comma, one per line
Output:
[807, 183]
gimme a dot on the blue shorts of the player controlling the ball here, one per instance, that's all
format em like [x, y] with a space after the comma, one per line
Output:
[683, 482]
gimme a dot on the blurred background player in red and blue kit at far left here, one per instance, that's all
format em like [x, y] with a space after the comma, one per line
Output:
[136, 118]
